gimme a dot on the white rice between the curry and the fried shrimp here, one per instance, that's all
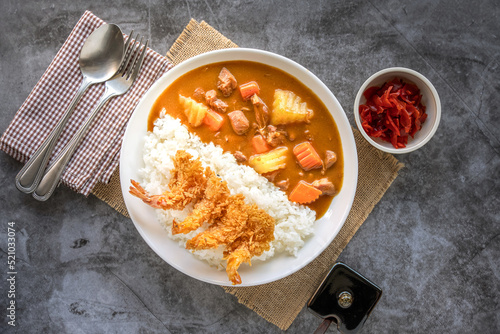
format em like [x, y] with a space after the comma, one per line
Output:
[293, 222]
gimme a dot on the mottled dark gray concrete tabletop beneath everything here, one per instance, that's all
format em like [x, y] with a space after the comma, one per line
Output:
[432, 243]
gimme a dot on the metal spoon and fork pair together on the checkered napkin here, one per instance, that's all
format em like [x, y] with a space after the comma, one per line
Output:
[104, 58]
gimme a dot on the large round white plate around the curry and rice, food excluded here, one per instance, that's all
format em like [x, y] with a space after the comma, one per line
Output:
[144, 218]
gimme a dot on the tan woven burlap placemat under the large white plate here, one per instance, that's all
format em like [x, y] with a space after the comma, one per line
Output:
[280, 302]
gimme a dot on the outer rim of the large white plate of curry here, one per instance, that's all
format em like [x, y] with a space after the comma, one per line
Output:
[291, 67]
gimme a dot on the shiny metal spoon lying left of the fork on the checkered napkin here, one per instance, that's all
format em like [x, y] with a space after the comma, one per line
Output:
[100, 58]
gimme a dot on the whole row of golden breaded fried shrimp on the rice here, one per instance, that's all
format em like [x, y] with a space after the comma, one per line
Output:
[243, 230]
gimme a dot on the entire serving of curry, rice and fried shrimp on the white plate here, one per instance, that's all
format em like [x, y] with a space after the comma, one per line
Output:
[240, 160]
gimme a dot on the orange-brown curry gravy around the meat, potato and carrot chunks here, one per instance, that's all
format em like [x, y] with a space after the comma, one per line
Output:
[321, 131]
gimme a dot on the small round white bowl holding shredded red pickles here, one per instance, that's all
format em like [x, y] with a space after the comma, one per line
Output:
[430, 99]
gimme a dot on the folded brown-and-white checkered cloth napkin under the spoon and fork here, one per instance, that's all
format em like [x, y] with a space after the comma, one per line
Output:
[98, 154]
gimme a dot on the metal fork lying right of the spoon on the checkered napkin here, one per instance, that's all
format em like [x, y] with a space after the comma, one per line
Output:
[116, 86]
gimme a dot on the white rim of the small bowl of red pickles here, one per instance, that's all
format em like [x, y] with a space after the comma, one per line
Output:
[434, 94]
